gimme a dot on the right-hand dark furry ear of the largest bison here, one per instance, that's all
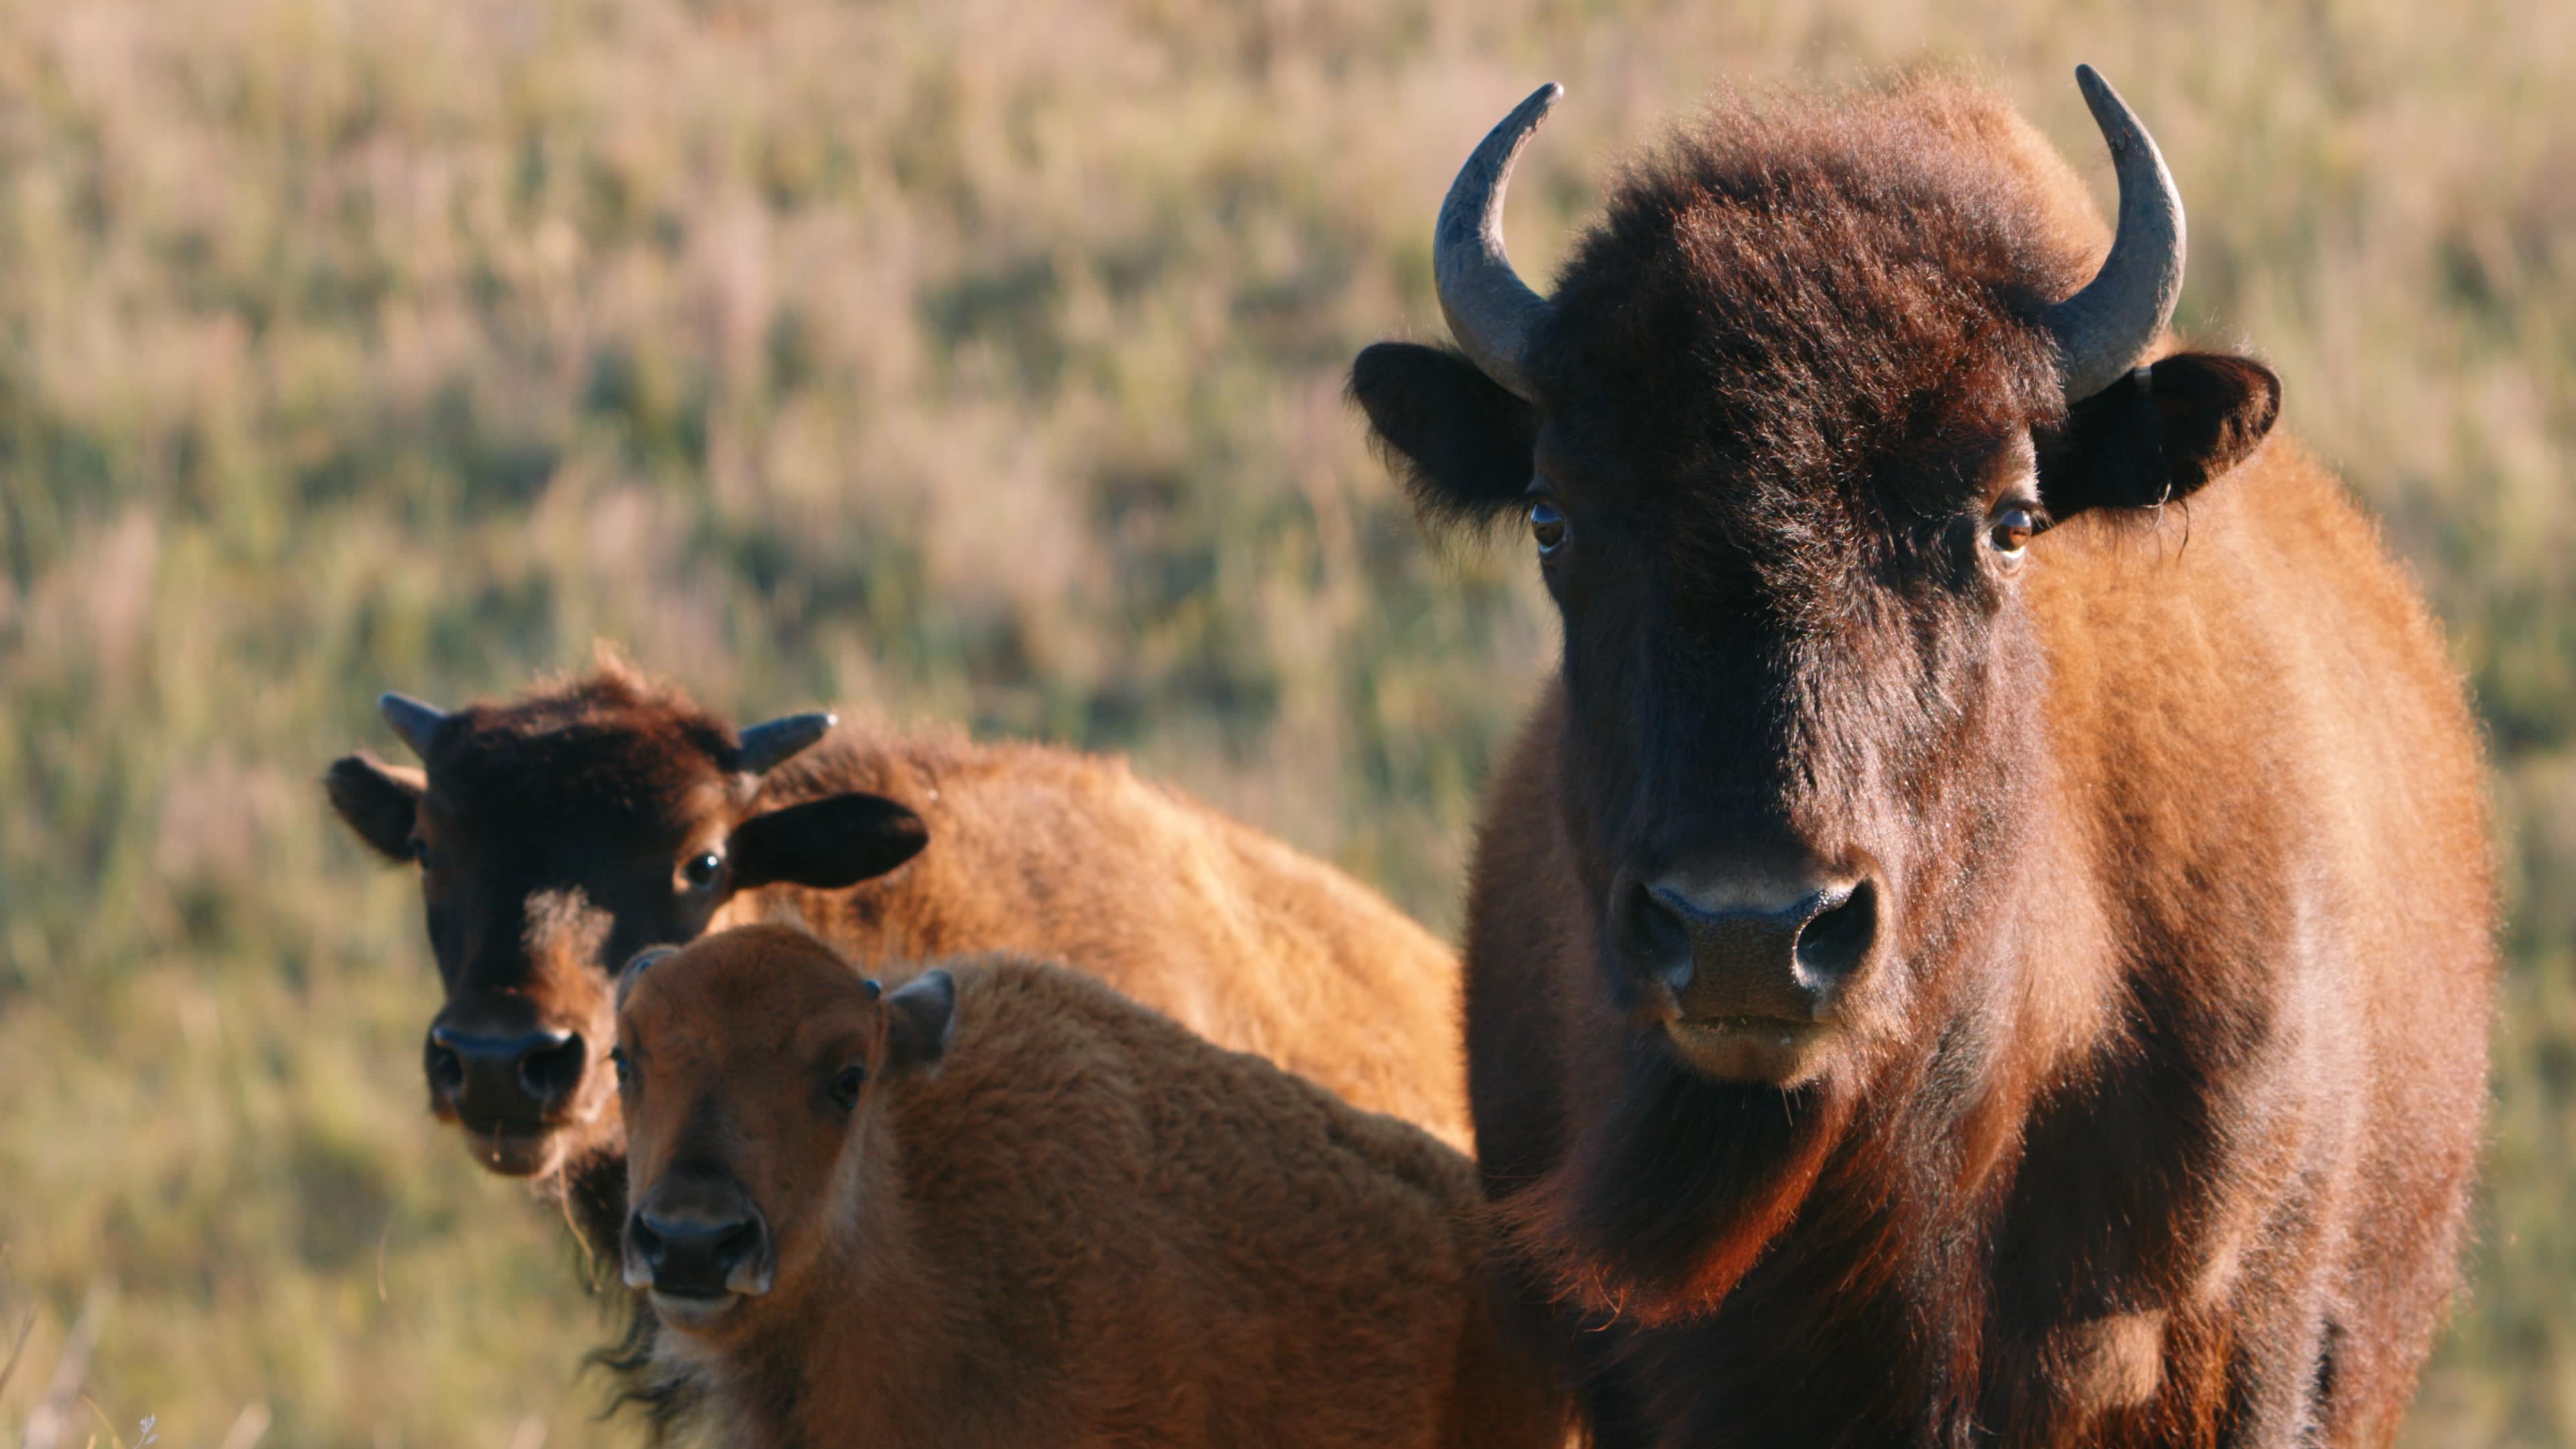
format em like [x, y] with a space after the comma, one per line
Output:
[2160, 434]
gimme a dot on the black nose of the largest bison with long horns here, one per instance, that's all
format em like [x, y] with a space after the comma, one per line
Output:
[1748, 945]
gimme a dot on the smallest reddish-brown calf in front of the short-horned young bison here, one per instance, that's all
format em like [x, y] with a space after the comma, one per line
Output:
[1006, 1205]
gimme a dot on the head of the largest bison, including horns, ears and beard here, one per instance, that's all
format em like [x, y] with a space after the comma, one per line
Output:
[1786, 442]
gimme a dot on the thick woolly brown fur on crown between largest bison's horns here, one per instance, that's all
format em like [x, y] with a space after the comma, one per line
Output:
[1817, 313]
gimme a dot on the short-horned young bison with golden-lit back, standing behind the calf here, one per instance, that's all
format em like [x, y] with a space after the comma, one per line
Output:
[565, 831]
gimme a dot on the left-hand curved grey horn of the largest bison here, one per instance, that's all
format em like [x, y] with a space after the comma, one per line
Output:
[1488, 308]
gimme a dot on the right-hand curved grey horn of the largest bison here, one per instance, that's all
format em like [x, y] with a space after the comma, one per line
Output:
[2106, 329]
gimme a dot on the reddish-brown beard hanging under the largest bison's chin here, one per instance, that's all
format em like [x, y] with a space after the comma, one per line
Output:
[1673, 1187]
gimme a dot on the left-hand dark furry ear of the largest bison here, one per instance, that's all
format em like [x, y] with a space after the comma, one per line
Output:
[1457, 437]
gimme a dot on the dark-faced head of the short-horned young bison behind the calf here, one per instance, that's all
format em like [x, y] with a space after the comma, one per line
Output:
[555, 839]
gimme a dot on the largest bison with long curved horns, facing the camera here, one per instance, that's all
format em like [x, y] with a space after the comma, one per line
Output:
[1987, 935]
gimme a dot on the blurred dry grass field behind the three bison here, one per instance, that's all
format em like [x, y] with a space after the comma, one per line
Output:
[980, 362]
